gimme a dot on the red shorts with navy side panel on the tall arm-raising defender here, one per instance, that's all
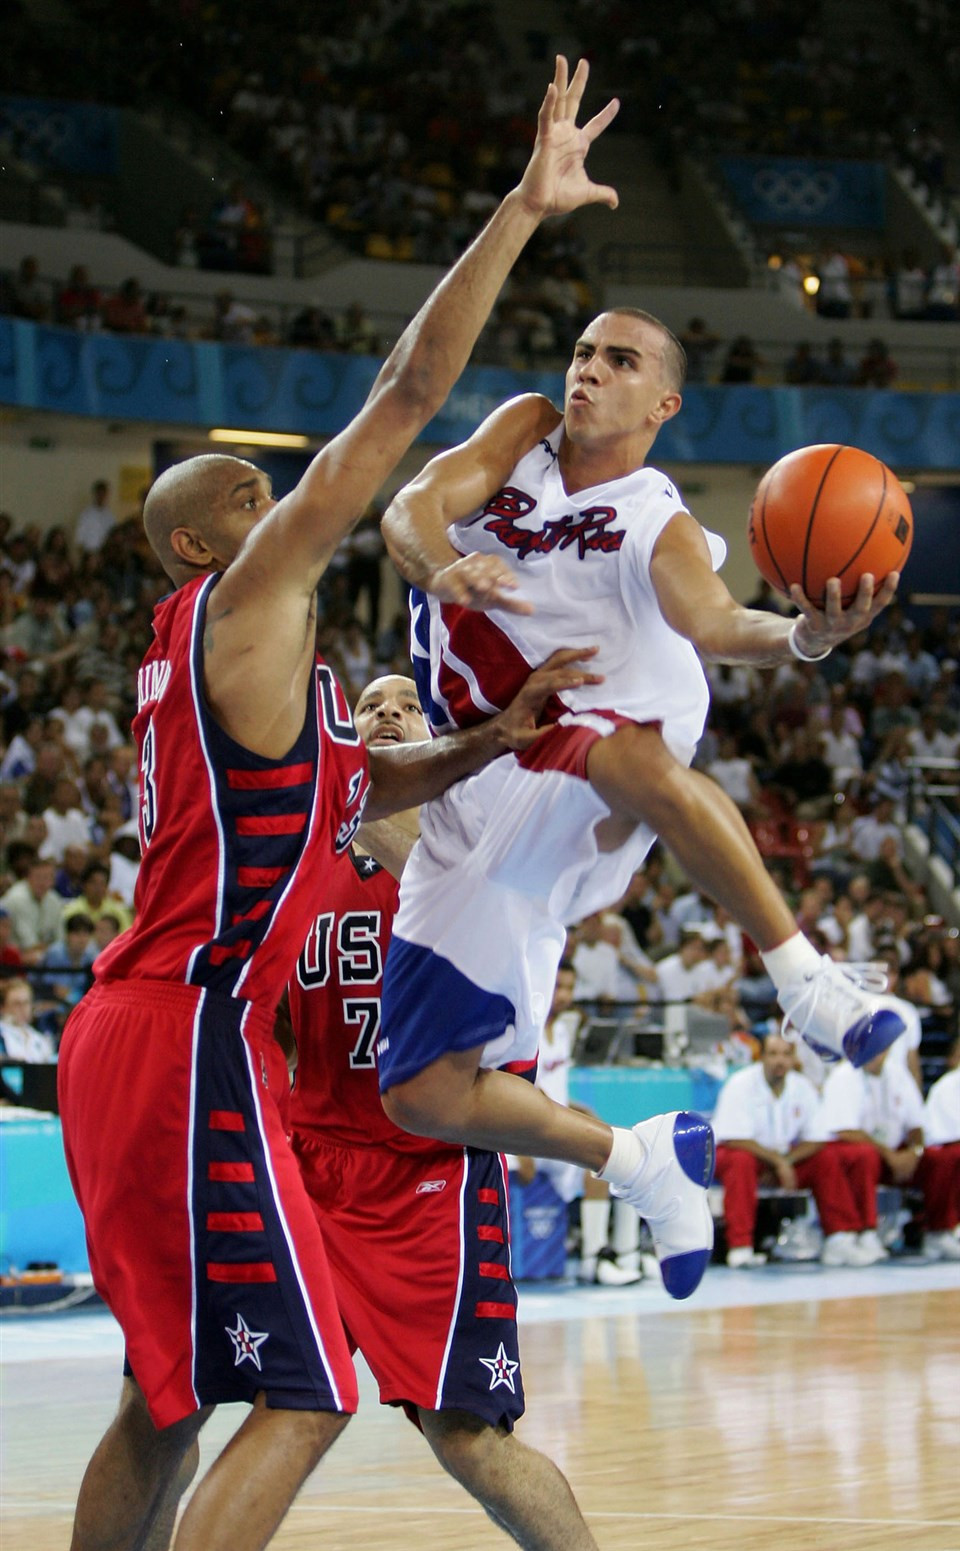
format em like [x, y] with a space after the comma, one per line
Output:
[202, 1238]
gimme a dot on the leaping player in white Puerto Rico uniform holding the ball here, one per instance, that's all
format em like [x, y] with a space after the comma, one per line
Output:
[554, 528]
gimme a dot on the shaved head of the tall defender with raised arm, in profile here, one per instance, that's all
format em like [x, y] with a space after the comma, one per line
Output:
[190, 496]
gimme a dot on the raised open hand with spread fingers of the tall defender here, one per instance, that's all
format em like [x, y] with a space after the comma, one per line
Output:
[556, 179]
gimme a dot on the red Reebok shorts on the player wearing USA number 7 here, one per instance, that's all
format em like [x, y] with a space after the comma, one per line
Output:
[420, 1249]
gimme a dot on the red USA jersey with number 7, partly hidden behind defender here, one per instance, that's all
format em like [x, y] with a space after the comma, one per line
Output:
[336, 1012]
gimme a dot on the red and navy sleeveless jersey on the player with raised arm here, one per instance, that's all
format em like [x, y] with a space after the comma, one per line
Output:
[237, 848]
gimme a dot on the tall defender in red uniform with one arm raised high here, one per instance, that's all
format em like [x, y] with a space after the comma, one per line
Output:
[254, 781]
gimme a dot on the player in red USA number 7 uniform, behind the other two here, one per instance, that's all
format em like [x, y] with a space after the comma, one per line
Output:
[438, 1330]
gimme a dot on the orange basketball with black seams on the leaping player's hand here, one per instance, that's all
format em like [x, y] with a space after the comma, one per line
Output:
[829, 513]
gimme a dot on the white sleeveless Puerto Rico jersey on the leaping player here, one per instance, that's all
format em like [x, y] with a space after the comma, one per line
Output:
[584, 564]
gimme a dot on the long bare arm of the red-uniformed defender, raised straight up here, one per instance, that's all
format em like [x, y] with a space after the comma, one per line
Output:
[261, 618]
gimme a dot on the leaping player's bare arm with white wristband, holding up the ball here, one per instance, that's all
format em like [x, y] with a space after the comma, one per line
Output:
[699, 606]
